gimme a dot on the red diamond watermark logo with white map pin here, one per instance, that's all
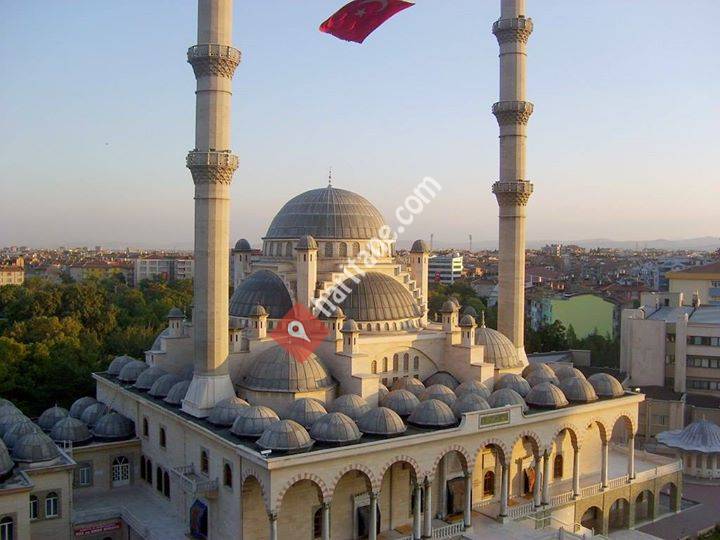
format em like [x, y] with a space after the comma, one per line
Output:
[299, 333]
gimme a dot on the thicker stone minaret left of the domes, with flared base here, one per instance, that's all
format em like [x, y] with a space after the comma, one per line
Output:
[212, 166]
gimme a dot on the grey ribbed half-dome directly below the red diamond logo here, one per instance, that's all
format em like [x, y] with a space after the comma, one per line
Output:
[276, 370]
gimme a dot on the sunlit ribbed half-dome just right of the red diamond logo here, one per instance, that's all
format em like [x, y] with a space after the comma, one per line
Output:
[377, 297]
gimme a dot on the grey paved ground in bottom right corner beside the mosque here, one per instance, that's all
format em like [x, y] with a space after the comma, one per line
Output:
[689, 521]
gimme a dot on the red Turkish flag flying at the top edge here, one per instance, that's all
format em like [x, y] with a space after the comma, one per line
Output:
[357, 20]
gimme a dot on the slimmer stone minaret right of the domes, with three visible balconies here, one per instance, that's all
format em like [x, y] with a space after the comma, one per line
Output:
[512, 189]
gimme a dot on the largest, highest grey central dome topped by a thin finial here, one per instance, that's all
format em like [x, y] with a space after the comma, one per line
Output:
[327, 213]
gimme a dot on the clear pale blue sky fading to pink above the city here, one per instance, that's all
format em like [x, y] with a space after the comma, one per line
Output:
[97, 115]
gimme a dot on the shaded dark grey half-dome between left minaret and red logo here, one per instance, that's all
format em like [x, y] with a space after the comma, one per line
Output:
[264, 288]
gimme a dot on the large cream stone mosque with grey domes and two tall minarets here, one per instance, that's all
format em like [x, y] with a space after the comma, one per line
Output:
[394, 427]
